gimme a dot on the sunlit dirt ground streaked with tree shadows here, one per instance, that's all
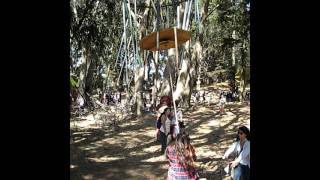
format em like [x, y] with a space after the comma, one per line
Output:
[131, 152]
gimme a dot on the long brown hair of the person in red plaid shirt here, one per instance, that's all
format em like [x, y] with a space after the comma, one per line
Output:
[182, 150]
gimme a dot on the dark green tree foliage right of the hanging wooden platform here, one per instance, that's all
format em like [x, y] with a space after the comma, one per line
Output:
[228, 16]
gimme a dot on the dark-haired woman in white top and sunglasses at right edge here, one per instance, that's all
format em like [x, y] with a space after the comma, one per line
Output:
[241, 148]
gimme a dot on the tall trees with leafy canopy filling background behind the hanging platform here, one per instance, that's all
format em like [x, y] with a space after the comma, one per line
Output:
[104, 39]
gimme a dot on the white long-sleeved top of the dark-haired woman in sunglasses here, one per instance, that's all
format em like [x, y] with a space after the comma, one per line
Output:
[244, 157]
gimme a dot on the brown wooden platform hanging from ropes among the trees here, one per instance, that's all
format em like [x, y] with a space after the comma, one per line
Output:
[166, 39]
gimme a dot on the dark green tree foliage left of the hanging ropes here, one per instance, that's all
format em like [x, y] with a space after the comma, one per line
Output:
[95, 34]
